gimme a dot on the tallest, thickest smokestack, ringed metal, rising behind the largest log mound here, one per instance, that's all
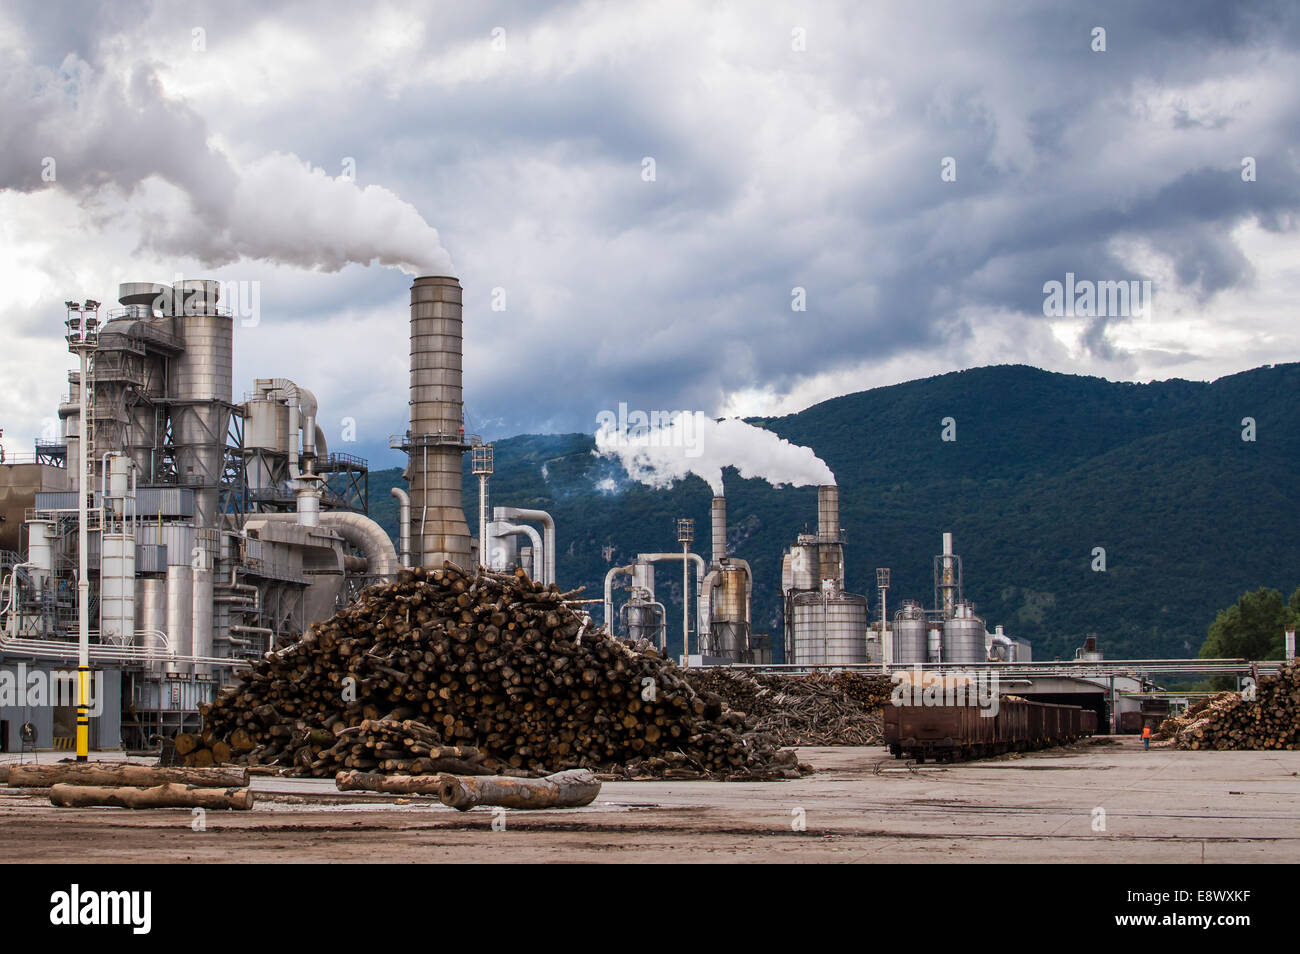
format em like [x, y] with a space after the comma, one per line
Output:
[437, 437]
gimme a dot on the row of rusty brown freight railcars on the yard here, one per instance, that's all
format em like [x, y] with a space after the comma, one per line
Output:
[952, 734]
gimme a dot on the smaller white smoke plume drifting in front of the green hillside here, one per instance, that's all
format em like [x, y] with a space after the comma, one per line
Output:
[660, 453]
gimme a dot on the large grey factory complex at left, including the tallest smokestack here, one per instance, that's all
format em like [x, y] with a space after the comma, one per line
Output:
[218, 531]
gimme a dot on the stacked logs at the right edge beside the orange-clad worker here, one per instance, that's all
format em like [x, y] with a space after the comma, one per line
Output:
[1236, 721]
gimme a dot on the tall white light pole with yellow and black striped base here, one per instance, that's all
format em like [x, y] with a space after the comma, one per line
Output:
[83, 339]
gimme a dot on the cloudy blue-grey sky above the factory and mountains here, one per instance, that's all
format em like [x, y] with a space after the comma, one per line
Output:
[640, 189]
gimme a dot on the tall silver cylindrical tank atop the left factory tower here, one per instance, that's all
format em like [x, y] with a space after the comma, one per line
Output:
[202, 375]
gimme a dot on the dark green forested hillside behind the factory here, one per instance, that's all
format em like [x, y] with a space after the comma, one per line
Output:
[1045, 469]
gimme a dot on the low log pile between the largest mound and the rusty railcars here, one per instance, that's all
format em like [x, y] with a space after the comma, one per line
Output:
[817, 709]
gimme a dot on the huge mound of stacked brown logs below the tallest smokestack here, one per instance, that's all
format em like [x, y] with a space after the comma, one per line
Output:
[443, 671]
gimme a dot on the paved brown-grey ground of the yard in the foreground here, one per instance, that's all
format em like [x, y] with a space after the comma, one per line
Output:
[1159, 806]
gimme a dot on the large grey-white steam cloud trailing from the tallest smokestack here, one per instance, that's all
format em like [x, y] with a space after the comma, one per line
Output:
[105, 132]
